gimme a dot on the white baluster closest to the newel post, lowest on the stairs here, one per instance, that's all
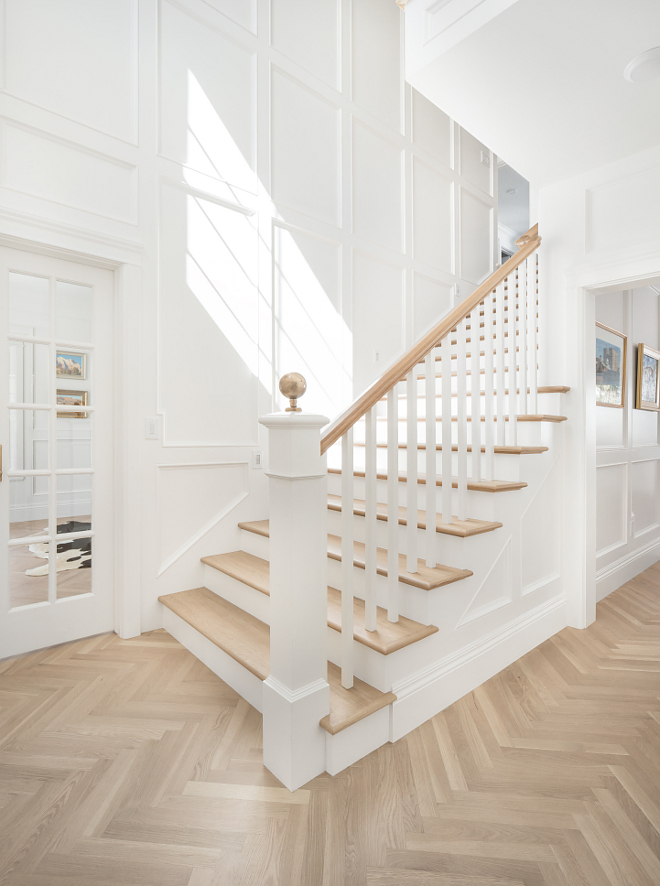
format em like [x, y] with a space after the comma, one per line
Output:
[347, 560]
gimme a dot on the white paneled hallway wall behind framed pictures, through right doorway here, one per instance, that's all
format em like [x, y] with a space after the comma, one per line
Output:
[628, 454]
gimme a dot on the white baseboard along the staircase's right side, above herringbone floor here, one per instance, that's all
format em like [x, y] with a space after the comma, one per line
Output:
[434, 689]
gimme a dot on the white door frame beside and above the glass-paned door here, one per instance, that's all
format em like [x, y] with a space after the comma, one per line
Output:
[127, 422]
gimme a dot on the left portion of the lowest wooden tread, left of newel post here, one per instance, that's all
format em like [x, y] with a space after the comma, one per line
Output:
[242, 636]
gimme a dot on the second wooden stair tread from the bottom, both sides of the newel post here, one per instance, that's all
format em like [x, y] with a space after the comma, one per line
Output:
[255, 572]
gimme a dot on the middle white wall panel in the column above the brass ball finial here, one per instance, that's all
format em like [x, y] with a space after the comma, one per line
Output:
[305, 150]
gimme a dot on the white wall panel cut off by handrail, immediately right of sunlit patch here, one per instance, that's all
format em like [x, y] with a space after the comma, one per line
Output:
[378, 322]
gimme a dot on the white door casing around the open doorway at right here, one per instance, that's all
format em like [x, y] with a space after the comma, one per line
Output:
[583, 286]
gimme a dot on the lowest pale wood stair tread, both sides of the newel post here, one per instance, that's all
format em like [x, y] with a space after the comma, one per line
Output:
[247, 640]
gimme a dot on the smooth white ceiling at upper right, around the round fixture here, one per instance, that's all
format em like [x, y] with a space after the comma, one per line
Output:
[542, 84]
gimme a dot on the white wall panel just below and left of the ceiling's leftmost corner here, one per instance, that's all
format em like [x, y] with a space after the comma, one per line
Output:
[377, 188]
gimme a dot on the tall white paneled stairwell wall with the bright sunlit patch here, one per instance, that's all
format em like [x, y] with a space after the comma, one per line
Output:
[274, 197]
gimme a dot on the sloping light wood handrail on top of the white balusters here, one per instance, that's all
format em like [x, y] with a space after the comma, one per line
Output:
[528, 243]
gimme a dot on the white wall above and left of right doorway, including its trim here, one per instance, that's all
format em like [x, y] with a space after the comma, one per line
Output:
[601, 234]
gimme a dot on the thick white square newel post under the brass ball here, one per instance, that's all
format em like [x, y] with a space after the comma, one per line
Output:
[296, 694]
